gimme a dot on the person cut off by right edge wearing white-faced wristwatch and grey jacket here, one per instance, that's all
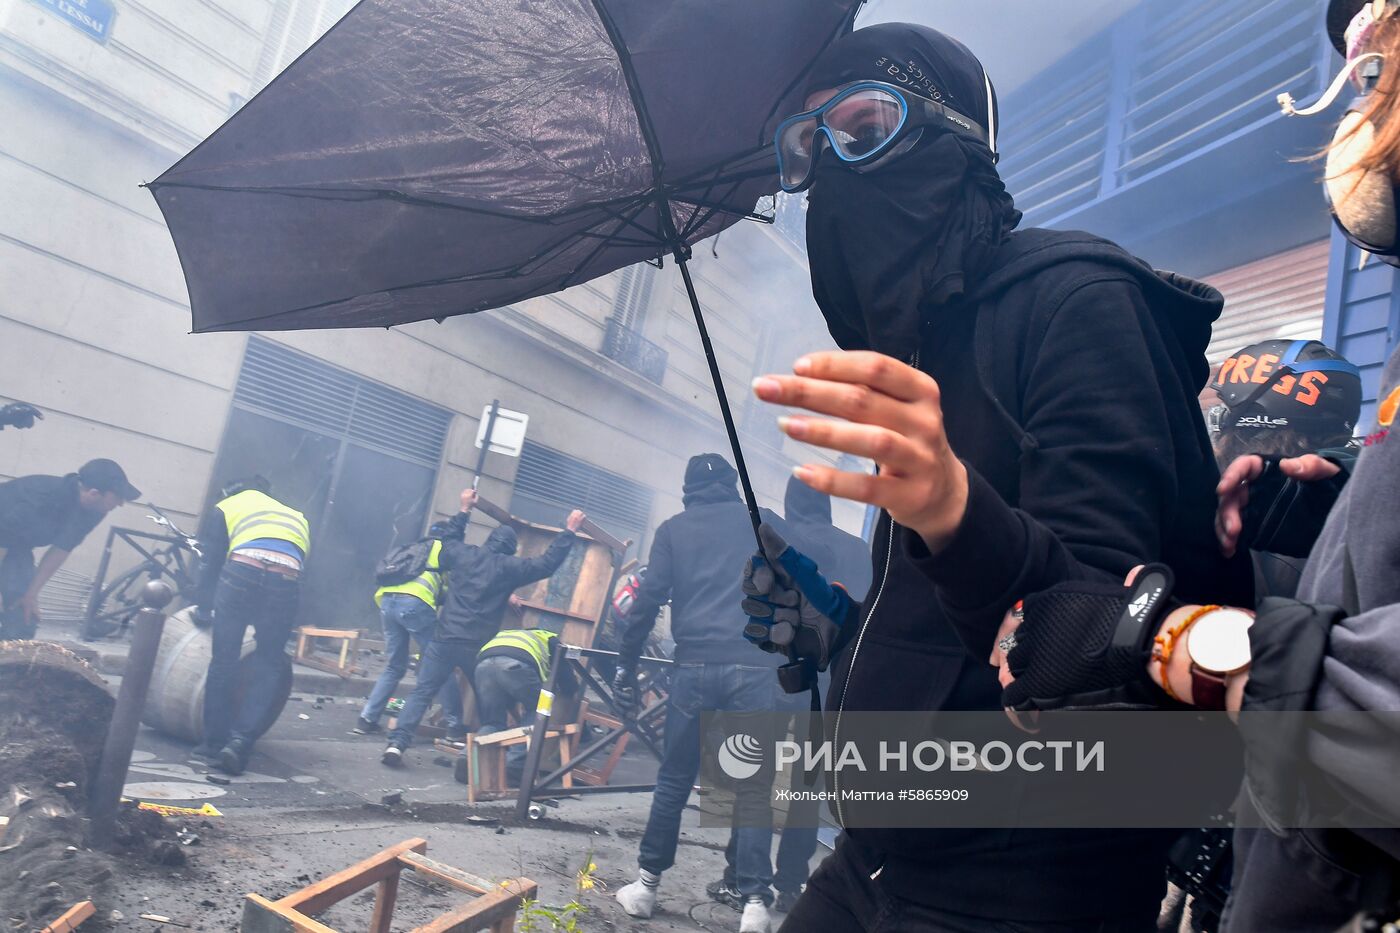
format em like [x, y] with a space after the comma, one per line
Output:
[1072, 647]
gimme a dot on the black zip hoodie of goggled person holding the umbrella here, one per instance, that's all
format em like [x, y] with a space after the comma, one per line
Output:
[1069, 386]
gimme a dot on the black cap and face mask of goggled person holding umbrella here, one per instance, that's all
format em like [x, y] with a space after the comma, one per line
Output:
[890, 247]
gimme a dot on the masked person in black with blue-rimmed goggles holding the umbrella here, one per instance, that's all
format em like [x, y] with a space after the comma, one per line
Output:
[1030, 399]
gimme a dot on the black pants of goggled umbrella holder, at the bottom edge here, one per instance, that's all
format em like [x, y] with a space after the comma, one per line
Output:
[843, 899]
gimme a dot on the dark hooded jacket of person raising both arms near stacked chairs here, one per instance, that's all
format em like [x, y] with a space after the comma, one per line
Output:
[482, 578]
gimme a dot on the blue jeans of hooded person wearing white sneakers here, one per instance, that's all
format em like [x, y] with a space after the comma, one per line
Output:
[696, 689]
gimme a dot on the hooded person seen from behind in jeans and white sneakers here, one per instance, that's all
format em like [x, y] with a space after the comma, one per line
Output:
[692, 565]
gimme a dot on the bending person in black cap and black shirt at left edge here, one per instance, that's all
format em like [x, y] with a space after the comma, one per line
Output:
[55, 513]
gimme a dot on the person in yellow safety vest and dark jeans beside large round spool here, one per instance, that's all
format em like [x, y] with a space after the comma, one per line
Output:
[254, 548]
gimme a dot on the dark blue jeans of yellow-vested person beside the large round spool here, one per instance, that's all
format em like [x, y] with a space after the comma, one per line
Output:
[268, 603]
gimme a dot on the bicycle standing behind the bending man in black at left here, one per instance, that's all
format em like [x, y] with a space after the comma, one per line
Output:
[166, 557]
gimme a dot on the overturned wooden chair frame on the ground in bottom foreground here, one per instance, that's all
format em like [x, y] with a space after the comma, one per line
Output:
[492, 908]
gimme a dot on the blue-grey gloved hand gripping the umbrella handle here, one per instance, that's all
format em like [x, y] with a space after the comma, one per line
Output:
[790, 604]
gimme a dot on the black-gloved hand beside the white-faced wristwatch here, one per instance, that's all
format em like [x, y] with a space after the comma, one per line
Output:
[1087, 645]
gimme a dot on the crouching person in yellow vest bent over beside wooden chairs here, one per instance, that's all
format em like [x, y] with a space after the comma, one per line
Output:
[510, 672]
